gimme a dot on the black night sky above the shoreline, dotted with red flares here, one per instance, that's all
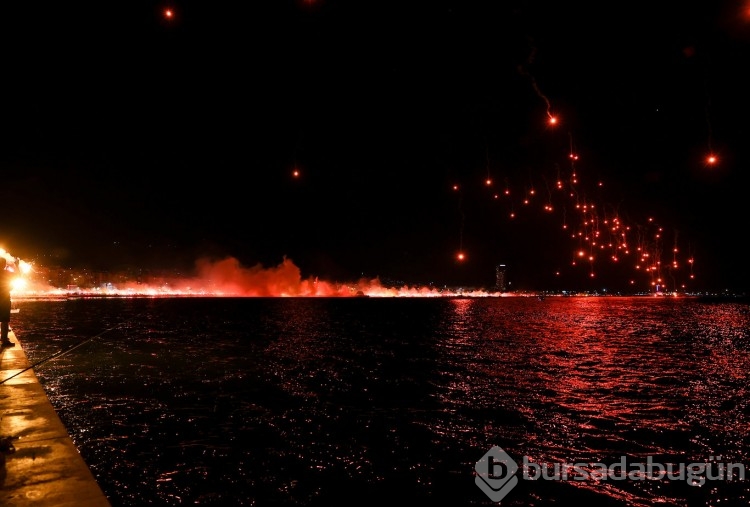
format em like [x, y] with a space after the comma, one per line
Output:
[132, 139]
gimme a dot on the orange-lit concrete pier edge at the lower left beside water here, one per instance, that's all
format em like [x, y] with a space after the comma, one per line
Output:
[39, 464]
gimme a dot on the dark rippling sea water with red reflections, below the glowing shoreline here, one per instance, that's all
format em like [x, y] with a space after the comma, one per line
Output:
[369, 401]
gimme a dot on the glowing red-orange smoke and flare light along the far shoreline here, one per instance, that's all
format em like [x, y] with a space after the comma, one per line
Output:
[228, 278]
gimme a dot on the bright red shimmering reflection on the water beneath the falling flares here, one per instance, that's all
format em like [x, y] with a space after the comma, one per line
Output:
[568, 380]
